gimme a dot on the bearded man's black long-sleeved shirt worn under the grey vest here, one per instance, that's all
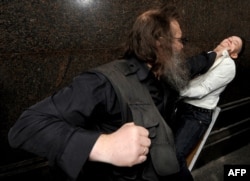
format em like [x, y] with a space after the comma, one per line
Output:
[64, 127]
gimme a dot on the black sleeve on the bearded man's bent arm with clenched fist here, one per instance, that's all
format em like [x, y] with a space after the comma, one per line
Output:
[55, 127]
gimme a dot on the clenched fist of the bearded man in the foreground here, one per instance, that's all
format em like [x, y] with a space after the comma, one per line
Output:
[127, 146]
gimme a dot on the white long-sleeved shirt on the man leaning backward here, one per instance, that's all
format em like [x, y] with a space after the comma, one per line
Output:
[204, 90]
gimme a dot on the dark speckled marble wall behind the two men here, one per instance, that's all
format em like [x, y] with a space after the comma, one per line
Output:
[44, 44]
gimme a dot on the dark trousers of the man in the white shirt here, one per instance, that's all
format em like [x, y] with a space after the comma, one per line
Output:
[190, 124]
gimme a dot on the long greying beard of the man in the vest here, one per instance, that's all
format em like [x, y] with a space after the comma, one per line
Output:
[175, 72]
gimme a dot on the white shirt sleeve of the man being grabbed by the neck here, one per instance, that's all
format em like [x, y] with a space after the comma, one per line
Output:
[216, 78]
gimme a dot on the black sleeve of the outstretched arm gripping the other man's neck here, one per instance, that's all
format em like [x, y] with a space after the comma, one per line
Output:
[200, 63]
